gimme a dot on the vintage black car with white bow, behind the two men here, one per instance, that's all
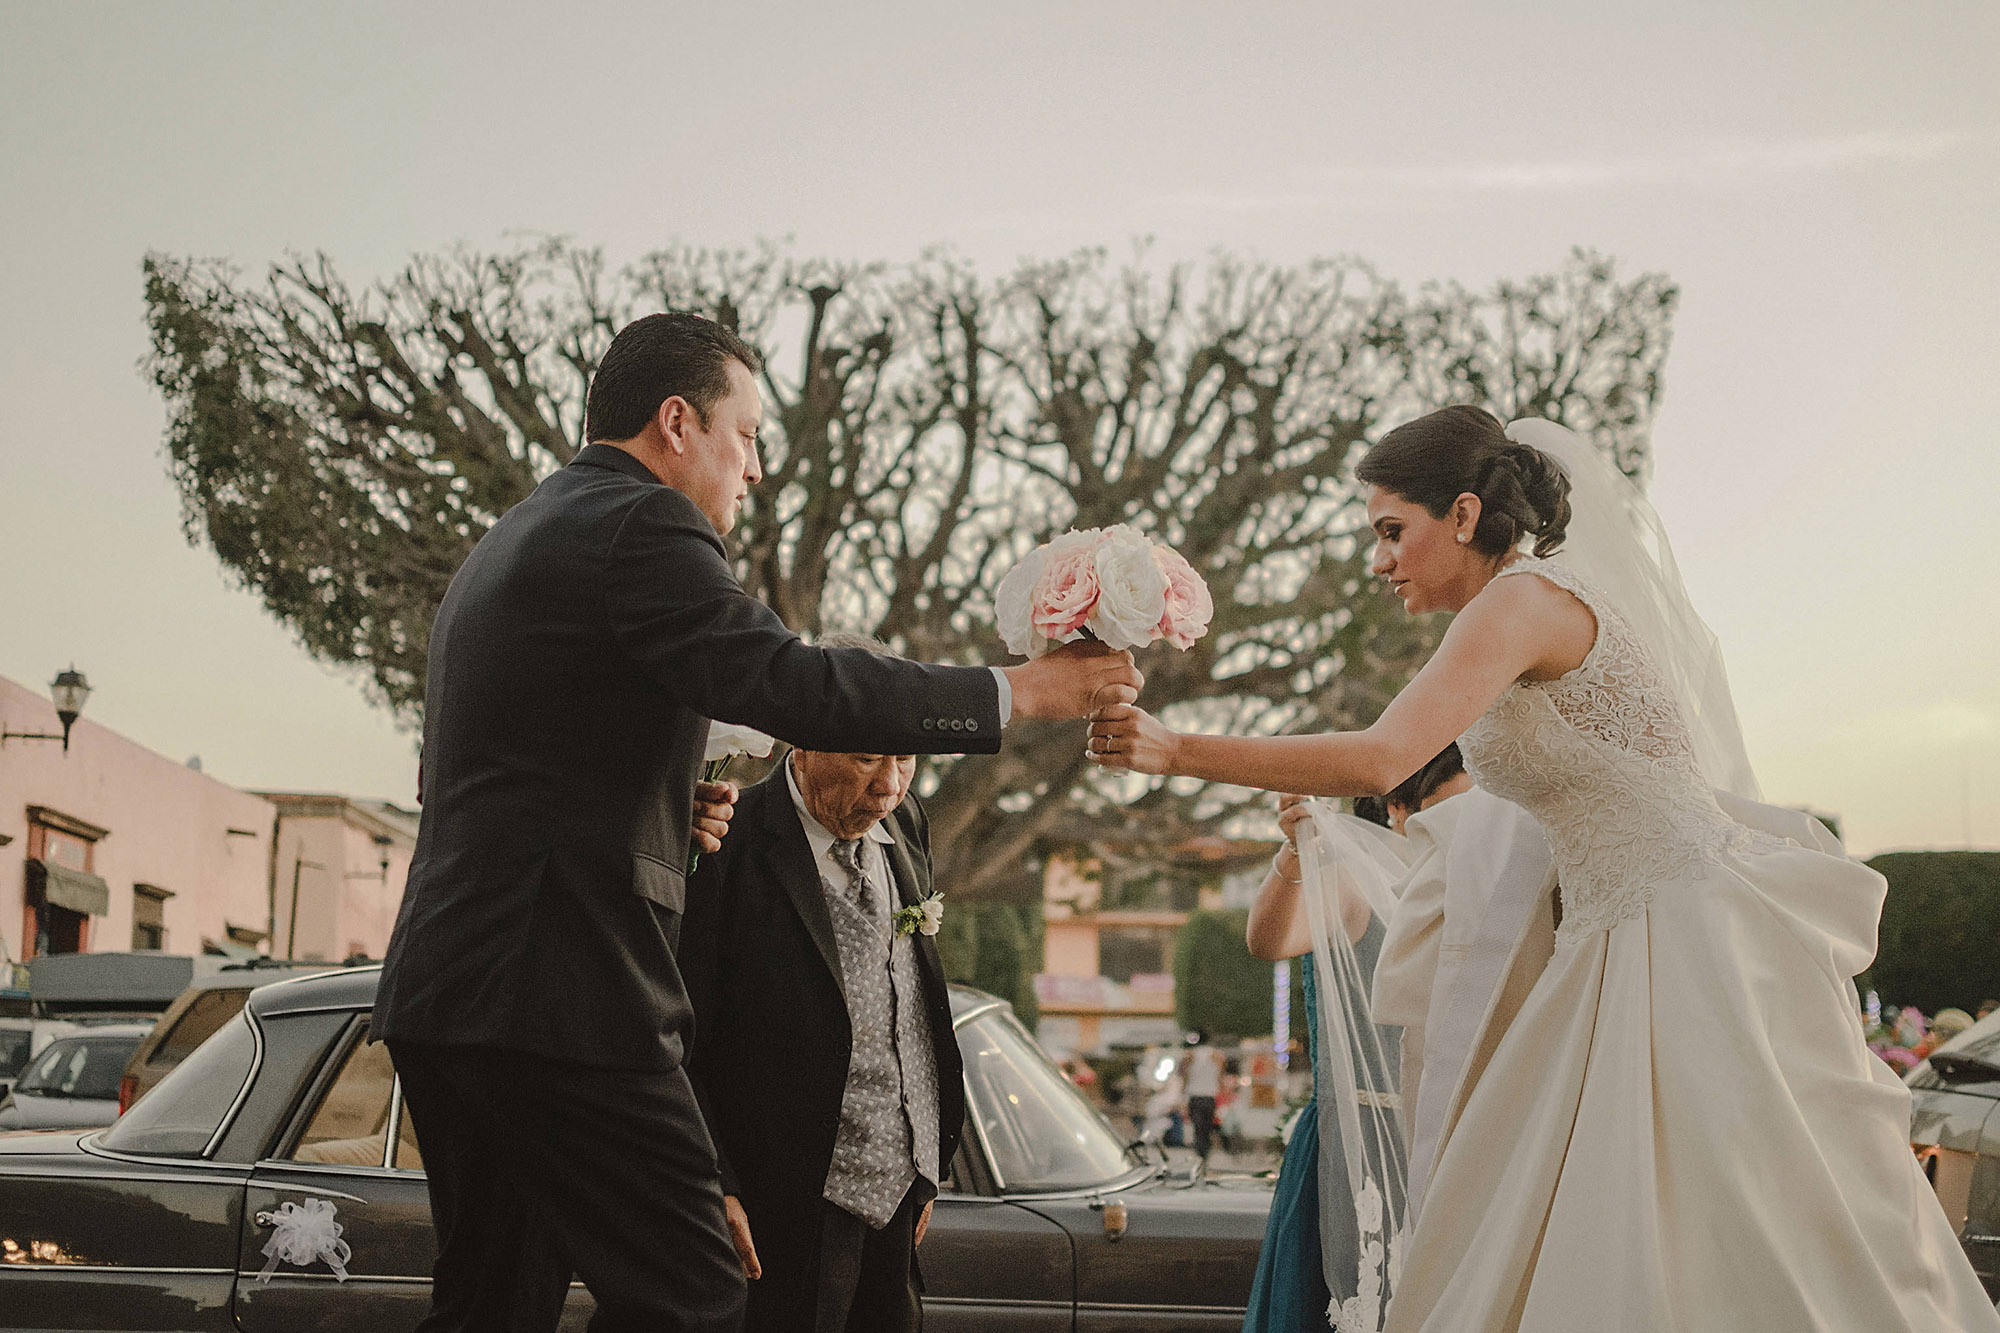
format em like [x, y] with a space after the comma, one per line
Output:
[161, 1222]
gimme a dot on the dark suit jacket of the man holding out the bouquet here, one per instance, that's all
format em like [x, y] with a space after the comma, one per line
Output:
[575, 665]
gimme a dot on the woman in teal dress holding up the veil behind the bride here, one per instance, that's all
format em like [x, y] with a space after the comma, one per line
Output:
[1311, 1266]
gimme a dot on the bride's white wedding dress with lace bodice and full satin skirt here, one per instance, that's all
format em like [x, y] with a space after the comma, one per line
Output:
[1681, 1130]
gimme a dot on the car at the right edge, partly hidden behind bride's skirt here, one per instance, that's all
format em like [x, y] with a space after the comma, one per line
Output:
[1955, 1130]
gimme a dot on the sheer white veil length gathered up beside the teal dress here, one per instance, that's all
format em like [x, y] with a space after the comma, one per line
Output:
[1355, 1072]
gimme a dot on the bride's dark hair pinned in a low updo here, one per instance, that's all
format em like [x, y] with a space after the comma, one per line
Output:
[1465, 451]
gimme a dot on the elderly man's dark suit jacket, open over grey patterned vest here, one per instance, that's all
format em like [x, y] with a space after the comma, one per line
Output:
[771, 1026]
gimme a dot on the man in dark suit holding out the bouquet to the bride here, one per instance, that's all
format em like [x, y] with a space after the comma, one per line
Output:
[531, 996]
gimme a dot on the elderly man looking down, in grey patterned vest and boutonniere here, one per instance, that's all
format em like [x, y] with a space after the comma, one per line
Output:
[823, 1052]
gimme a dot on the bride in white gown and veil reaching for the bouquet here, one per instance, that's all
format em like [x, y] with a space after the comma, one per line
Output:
[1681, 1130]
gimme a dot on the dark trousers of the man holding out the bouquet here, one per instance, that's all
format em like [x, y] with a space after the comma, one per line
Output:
[543, 1168]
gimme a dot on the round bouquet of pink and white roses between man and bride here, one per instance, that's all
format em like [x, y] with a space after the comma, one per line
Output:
[1113, 583]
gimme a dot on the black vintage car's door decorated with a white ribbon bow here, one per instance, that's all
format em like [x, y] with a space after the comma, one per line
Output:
[351, 1158]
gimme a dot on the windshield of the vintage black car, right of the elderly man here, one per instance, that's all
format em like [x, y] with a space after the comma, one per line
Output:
[1041, 1134]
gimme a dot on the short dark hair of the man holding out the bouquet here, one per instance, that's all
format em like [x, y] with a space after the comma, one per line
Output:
[657, 359]
